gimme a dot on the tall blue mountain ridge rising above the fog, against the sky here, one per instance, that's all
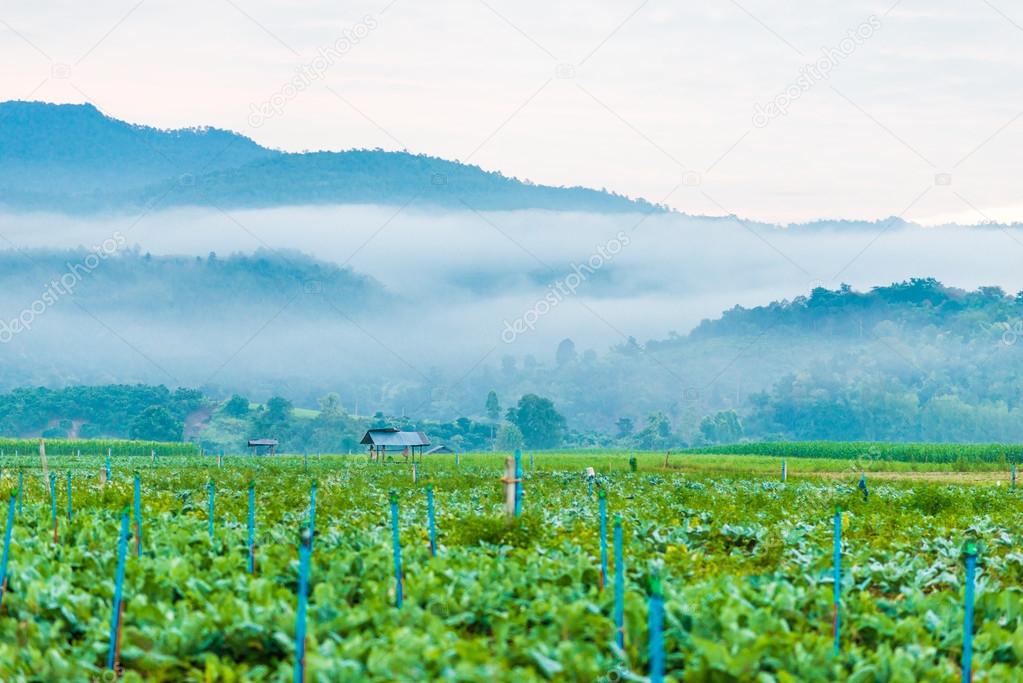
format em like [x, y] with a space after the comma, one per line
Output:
[72, 158]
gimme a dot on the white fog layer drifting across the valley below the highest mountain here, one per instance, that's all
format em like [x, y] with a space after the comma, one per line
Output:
[465, 289]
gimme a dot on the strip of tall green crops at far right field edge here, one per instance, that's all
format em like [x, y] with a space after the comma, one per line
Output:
[867, 451]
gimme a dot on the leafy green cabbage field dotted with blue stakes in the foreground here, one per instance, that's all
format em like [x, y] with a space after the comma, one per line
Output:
[740, 566]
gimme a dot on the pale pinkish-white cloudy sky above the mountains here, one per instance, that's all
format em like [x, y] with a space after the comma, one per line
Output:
[919, 117]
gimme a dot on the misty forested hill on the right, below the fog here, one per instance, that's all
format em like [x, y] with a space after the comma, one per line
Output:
[912, 361]
